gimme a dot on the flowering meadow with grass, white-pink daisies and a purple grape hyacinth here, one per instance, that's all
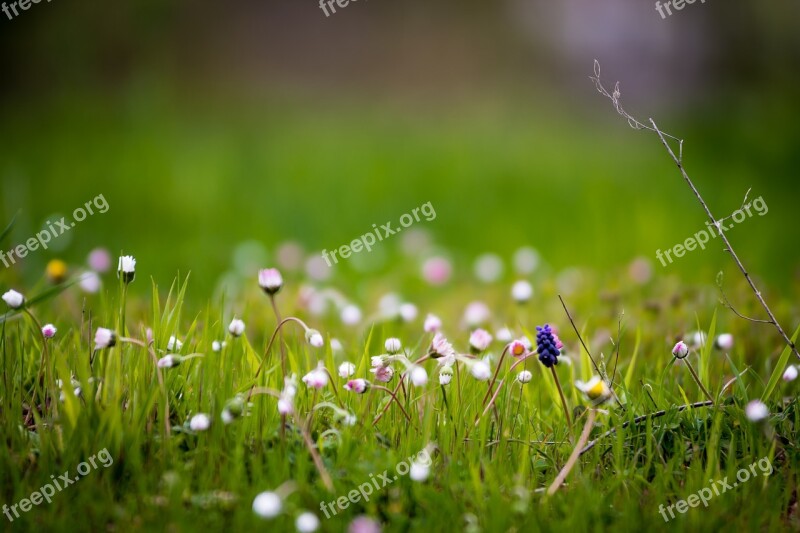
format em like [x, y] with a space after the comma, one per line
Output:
[201, 418]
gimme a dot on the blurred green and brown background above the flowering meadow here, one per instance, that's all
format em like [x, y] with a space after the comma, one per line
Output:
[205, 126]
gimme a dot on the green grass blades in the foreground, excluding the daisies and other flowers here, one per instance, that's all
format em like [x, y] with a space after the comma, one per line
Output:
[489, 477]
